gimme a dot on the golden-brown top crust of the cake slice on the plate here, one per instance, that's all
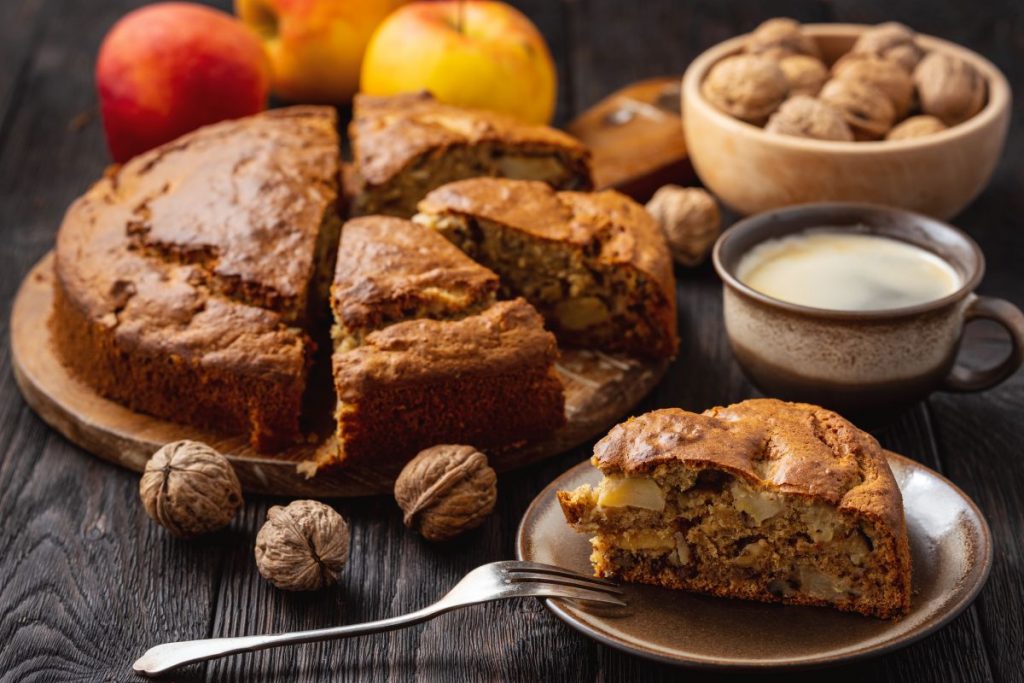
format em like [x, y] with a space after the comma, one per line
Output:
[792, 448]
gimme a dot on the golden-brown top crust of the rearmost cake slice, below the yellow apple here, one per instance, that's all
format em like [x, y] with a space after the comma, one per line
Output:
[389, 134]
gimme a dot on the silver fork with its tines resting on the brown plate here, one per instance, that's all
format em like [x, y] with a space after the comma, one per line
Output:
[497, 581]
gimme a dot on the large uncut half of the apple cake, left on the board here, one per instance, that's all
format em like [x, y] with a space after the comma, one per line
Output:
[187, 279]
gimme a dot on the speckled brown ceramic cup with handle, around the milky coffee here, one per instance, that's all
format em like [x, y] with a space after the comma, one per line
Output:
[861, 363]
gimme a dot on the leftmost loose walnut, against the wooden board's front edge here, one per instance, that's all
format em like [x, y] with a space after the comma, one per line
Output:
[190, 489]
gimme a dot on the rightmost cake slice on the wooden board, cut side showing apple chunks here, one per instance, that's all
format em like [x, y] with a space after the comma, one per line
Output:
[594, 265]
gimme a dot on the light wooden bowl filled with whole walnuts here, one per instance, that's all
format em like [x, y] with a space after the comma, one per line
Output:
[792, 114]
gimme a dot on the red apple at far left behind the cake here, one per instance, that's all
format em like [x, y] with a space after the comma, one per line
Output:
[170, 68]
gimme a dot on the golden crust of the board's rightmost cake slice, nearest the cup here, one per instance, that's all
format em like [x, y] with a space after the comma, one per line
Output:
[624, 234]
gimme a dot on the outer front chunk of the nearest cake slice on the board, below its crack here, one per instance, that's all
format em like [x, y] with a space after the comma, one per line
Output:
[487, 379]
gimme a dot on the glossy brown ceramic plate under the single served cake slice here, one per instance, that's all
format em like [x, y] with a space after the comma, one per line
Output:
[950, 543]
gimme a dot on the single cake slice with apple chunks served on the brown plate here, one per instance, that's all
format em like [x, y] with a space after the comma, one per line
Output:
[763, 500]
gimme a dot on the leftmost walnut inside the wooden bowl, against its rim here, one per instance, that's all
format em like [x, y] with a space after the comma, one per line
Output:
[749, 88]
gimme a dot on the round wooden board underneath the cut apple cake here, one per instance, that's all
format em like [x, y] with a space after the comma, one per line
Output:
[600, 390]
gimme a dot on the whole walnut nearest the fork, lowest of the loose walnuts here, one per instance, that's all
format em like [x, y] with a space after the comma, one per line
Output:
[303, 547]
